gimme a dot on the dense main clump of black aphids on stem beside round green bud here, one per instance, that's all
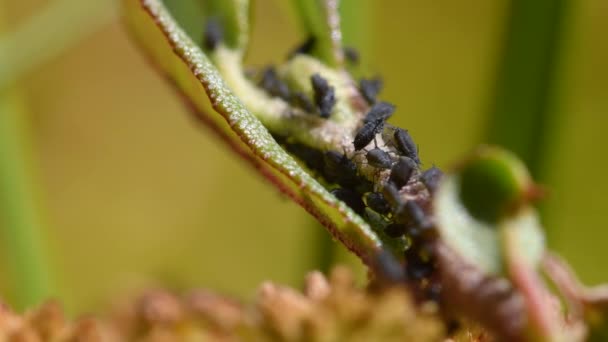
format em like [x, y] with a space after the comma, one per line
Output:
[402, 204]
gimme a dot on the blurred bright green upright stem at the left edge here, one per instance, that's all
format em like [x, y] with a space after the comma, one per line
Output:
[21, 225]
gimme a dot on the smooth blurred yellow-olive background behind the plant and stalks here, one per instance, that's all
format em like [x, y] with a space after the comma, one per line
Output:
[134, 193]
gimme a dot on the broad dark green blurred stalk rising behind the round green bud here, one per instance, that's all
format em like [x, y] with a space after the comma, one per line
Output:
[521, 113]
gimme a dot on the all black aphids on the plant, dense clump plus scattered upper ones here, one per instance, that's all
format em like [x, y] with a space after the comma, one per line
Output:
[397, 204]
